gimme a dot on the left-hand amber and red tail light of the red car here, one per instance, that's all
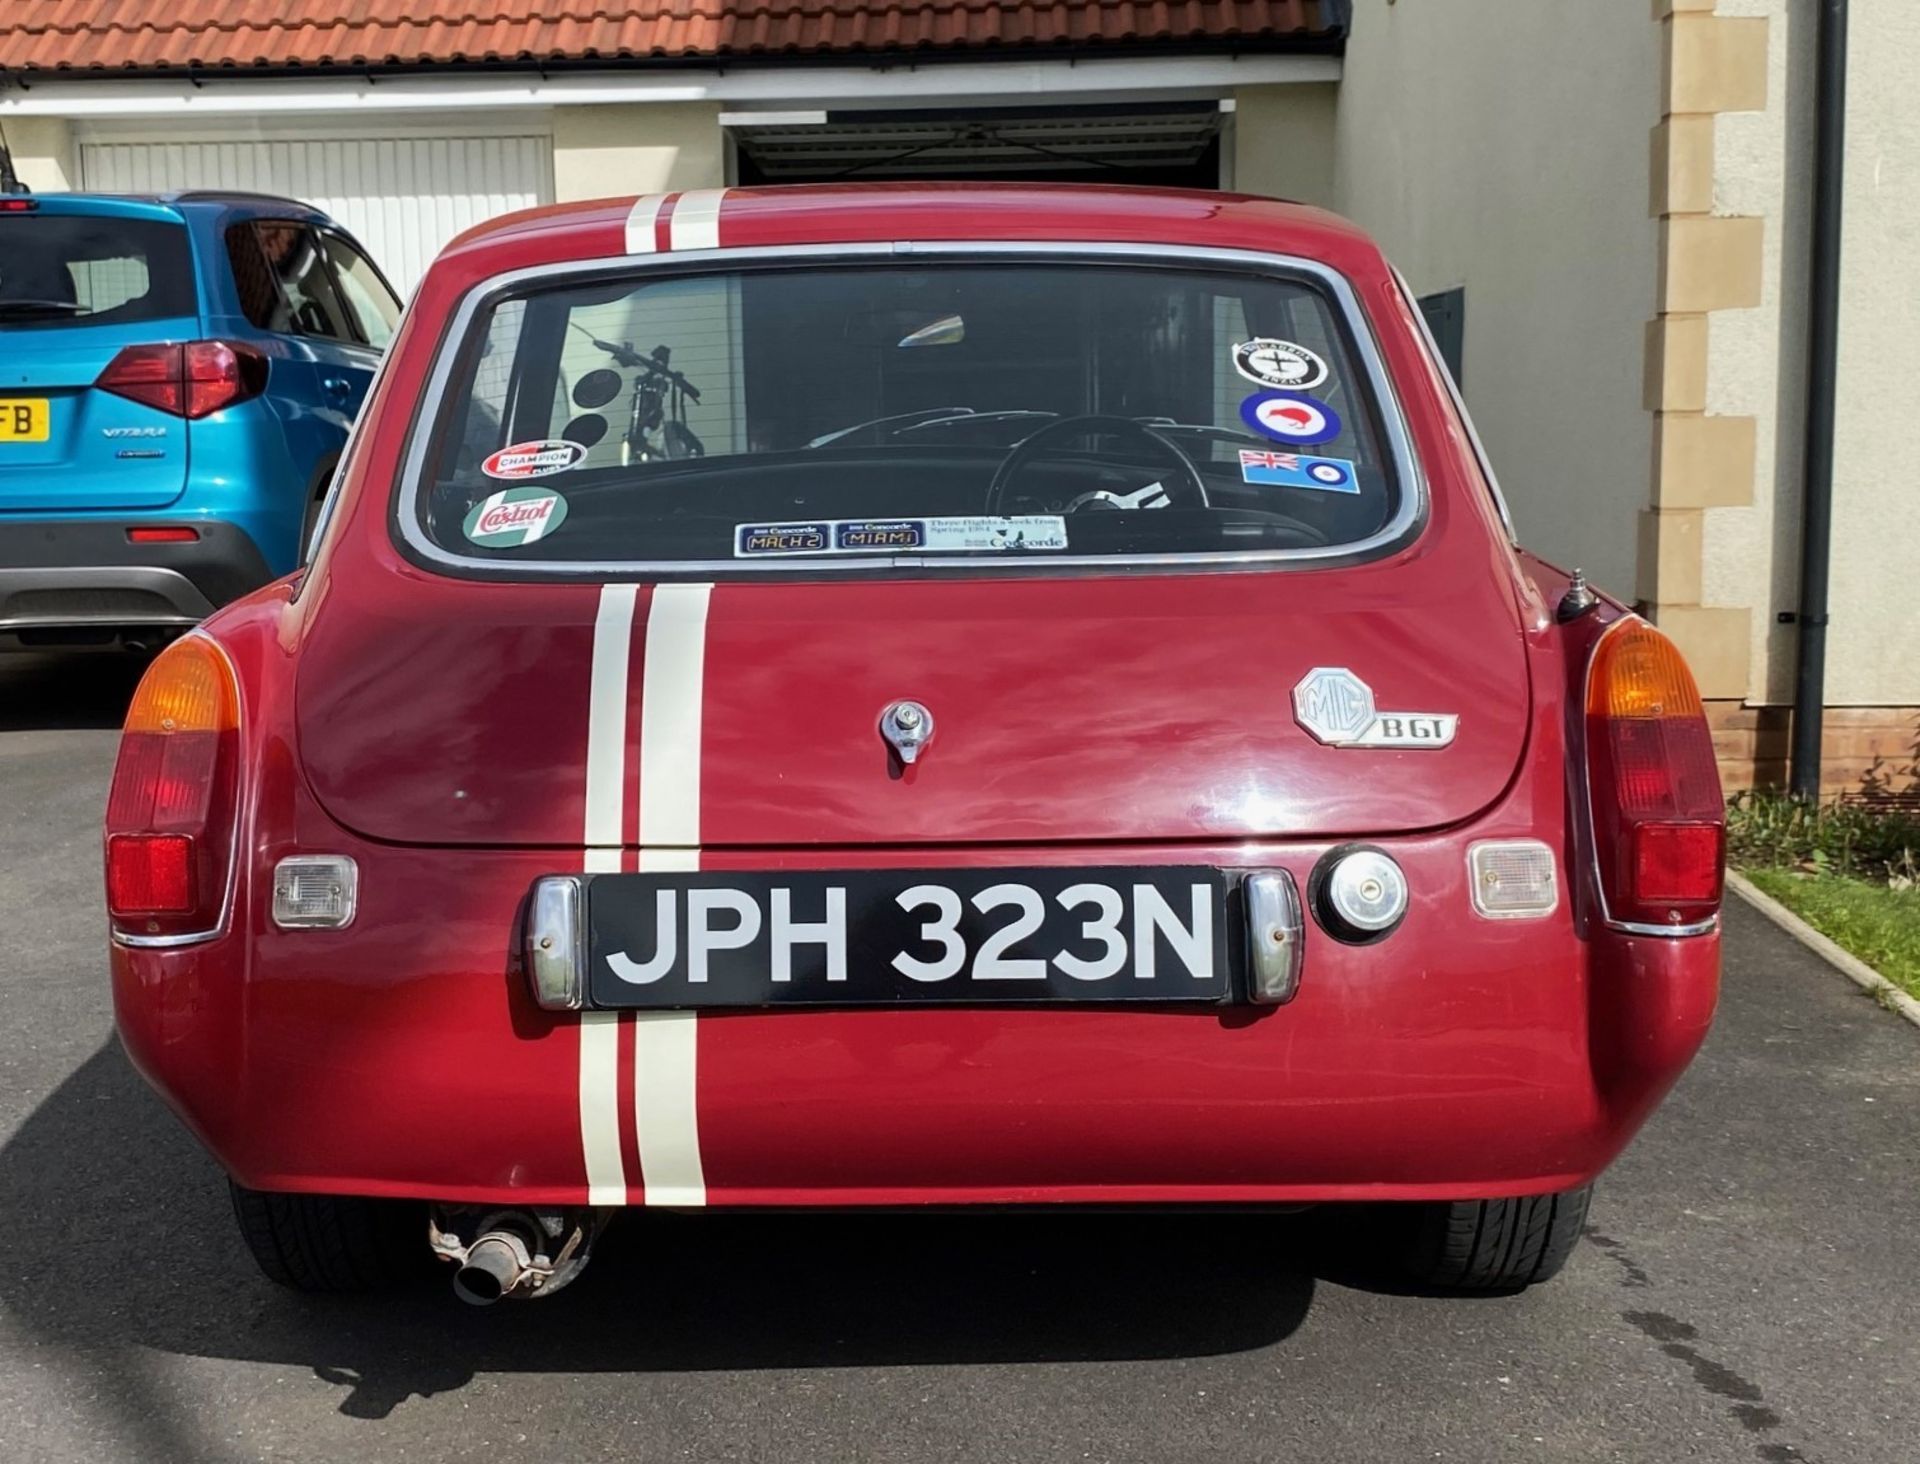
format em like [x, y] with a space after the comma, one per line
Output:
[174, 802]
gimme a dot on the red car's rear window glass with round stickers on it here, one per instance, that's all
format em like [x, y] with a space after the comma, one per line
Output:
[907, 414]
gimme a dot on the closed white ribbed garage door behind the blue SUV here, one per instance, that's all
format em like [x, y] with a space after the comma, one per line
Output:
[402, 197]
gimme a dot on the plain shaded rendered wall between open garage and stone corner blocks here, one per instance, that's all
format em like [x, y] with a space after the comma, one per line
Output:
[1502, 147]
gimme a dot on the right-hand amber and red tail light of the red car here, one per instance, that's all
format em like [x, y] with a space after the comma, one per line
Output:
[1660, 821]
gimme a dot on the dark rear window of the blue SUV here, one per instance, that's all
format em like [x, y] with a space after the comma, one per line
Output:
[64, 268]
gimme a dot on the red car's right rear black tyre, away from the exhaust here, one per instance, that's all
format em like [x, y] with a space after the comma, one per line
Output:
[1497, 1244]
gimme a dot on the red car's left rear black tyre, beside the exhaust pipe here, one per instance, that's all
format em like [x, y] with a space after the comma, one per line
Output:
[333, 1242]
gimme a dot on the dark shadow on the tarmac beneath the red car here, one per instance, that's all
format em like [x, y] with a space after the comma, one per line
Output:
[122, 1238]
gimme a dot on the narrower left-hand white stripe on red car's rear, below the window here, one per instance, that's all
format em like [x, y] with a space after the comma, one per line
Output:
[600, 1033]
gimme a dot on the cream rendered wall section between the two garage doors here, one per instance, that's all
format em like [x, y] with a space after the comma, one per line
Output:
[636, 149]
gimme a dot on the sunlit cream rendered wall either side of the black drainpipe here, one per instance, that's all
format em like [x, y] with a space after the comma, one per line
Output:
[1764, 166]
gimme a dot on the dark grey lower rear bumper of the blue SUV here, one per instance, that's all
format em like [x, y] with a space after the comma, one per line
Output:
[64, 575]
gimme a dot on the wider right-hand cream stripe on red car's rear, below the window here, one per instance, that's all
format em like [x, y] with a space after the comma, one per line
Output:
[671, 704]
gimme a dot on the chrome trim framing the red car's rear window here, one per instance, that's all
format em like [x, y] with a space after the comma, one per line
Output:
[1408, 520]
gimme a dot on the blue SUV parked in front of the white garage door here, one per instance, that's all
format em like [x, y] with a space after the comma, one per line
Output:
[178, 379]
